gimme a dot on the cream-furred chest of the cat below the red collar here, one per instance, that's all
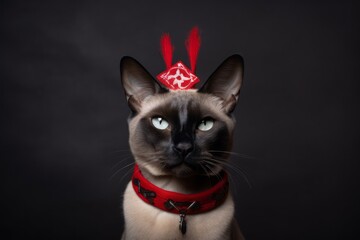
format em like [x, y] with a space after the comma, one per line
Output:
[143, 221]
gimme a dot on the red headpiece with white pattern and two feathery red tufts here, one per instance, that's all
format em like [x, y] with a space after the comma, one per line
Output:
[178, 76]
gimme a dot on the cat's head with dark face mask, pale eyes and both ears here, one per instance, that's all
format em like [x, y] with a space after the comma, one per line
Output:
[181, 132]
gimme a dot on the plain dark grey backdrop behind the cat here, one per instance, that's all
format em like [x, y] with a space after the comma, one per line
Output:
[63, 111]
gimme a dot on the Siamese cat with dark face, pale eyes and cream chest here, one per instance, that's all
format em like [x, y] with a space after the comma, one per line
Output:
[179, 140]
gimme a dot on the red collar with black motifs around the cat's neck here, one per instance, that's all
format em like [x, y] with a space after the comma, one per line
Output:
[174, 202]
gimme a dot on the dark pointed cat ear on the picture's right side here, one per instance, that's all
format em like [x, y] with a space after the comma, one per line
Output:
[226, 81]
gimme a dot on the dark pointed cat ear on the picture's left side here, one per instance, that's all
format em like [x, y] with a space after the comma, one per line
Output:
[137, 82]
